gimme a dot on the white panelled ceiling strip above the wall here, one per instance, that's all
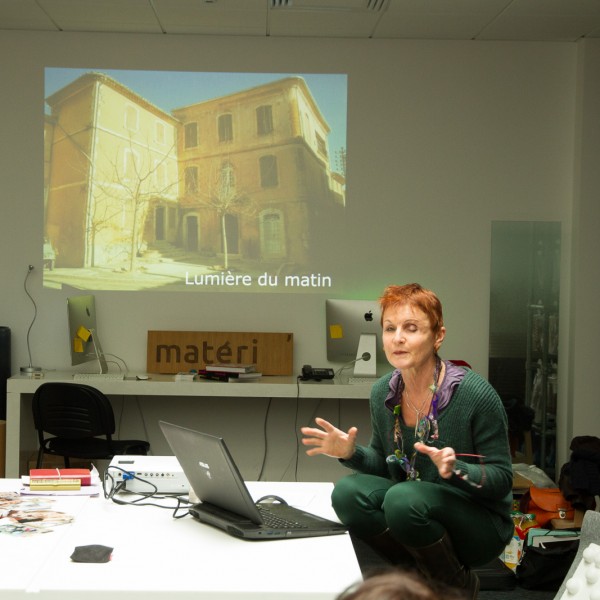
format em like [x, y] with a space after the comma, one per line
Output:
[526, 20]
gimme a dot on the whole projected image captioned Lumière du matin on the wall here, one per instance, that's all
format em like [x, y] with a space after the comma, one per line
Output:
[194, 181]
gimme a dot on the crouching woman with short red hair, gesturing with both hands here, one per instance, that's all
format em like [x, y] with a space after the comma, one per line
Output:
[434, 485]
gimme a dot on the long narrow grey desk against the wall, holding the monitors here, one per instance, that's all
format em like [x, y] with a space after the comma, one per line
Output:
[19, 386]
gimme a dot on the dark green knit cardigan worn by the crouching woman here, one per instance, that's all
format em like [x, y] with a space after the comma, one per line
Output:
[474, 422]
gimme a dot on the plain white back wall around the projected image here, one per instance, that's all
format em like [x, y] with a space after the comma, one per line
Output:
[443, 138]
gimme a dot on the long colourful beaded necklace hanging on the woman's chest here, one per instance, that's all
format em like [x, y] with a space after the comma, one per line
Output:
[426, 428]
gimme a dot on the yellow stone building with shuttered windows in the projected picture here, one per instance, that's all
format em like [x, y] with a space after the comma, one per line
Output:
[244, 177]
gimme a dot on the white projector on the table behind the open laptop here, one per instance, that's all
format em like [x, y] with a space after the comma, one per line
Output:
[161, 472]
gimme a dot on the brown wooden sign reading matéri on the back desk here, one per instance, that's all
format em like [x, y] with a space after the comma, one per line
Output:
[175, 351]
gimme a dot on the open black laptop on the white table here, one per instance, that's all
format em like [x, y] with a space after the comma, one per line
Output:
[225, 501]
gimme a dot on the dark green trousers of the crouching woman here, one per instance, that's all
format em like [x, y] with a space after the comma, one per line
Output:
[417, 514]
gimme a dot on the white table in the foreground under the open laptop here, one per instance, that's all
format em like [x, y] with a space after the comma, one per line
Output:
[158, 557]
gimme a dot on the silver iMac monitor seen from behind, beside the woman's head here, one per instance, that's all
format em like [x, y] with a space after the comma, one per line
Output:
[353, 332]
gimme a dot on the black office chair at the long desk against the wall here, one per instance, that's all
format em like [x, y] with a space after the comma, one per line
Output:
[75, 415]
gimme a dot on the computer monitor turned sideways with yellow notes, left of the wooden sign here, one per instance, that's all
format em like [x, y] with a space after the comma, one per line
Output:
[84, 342]
